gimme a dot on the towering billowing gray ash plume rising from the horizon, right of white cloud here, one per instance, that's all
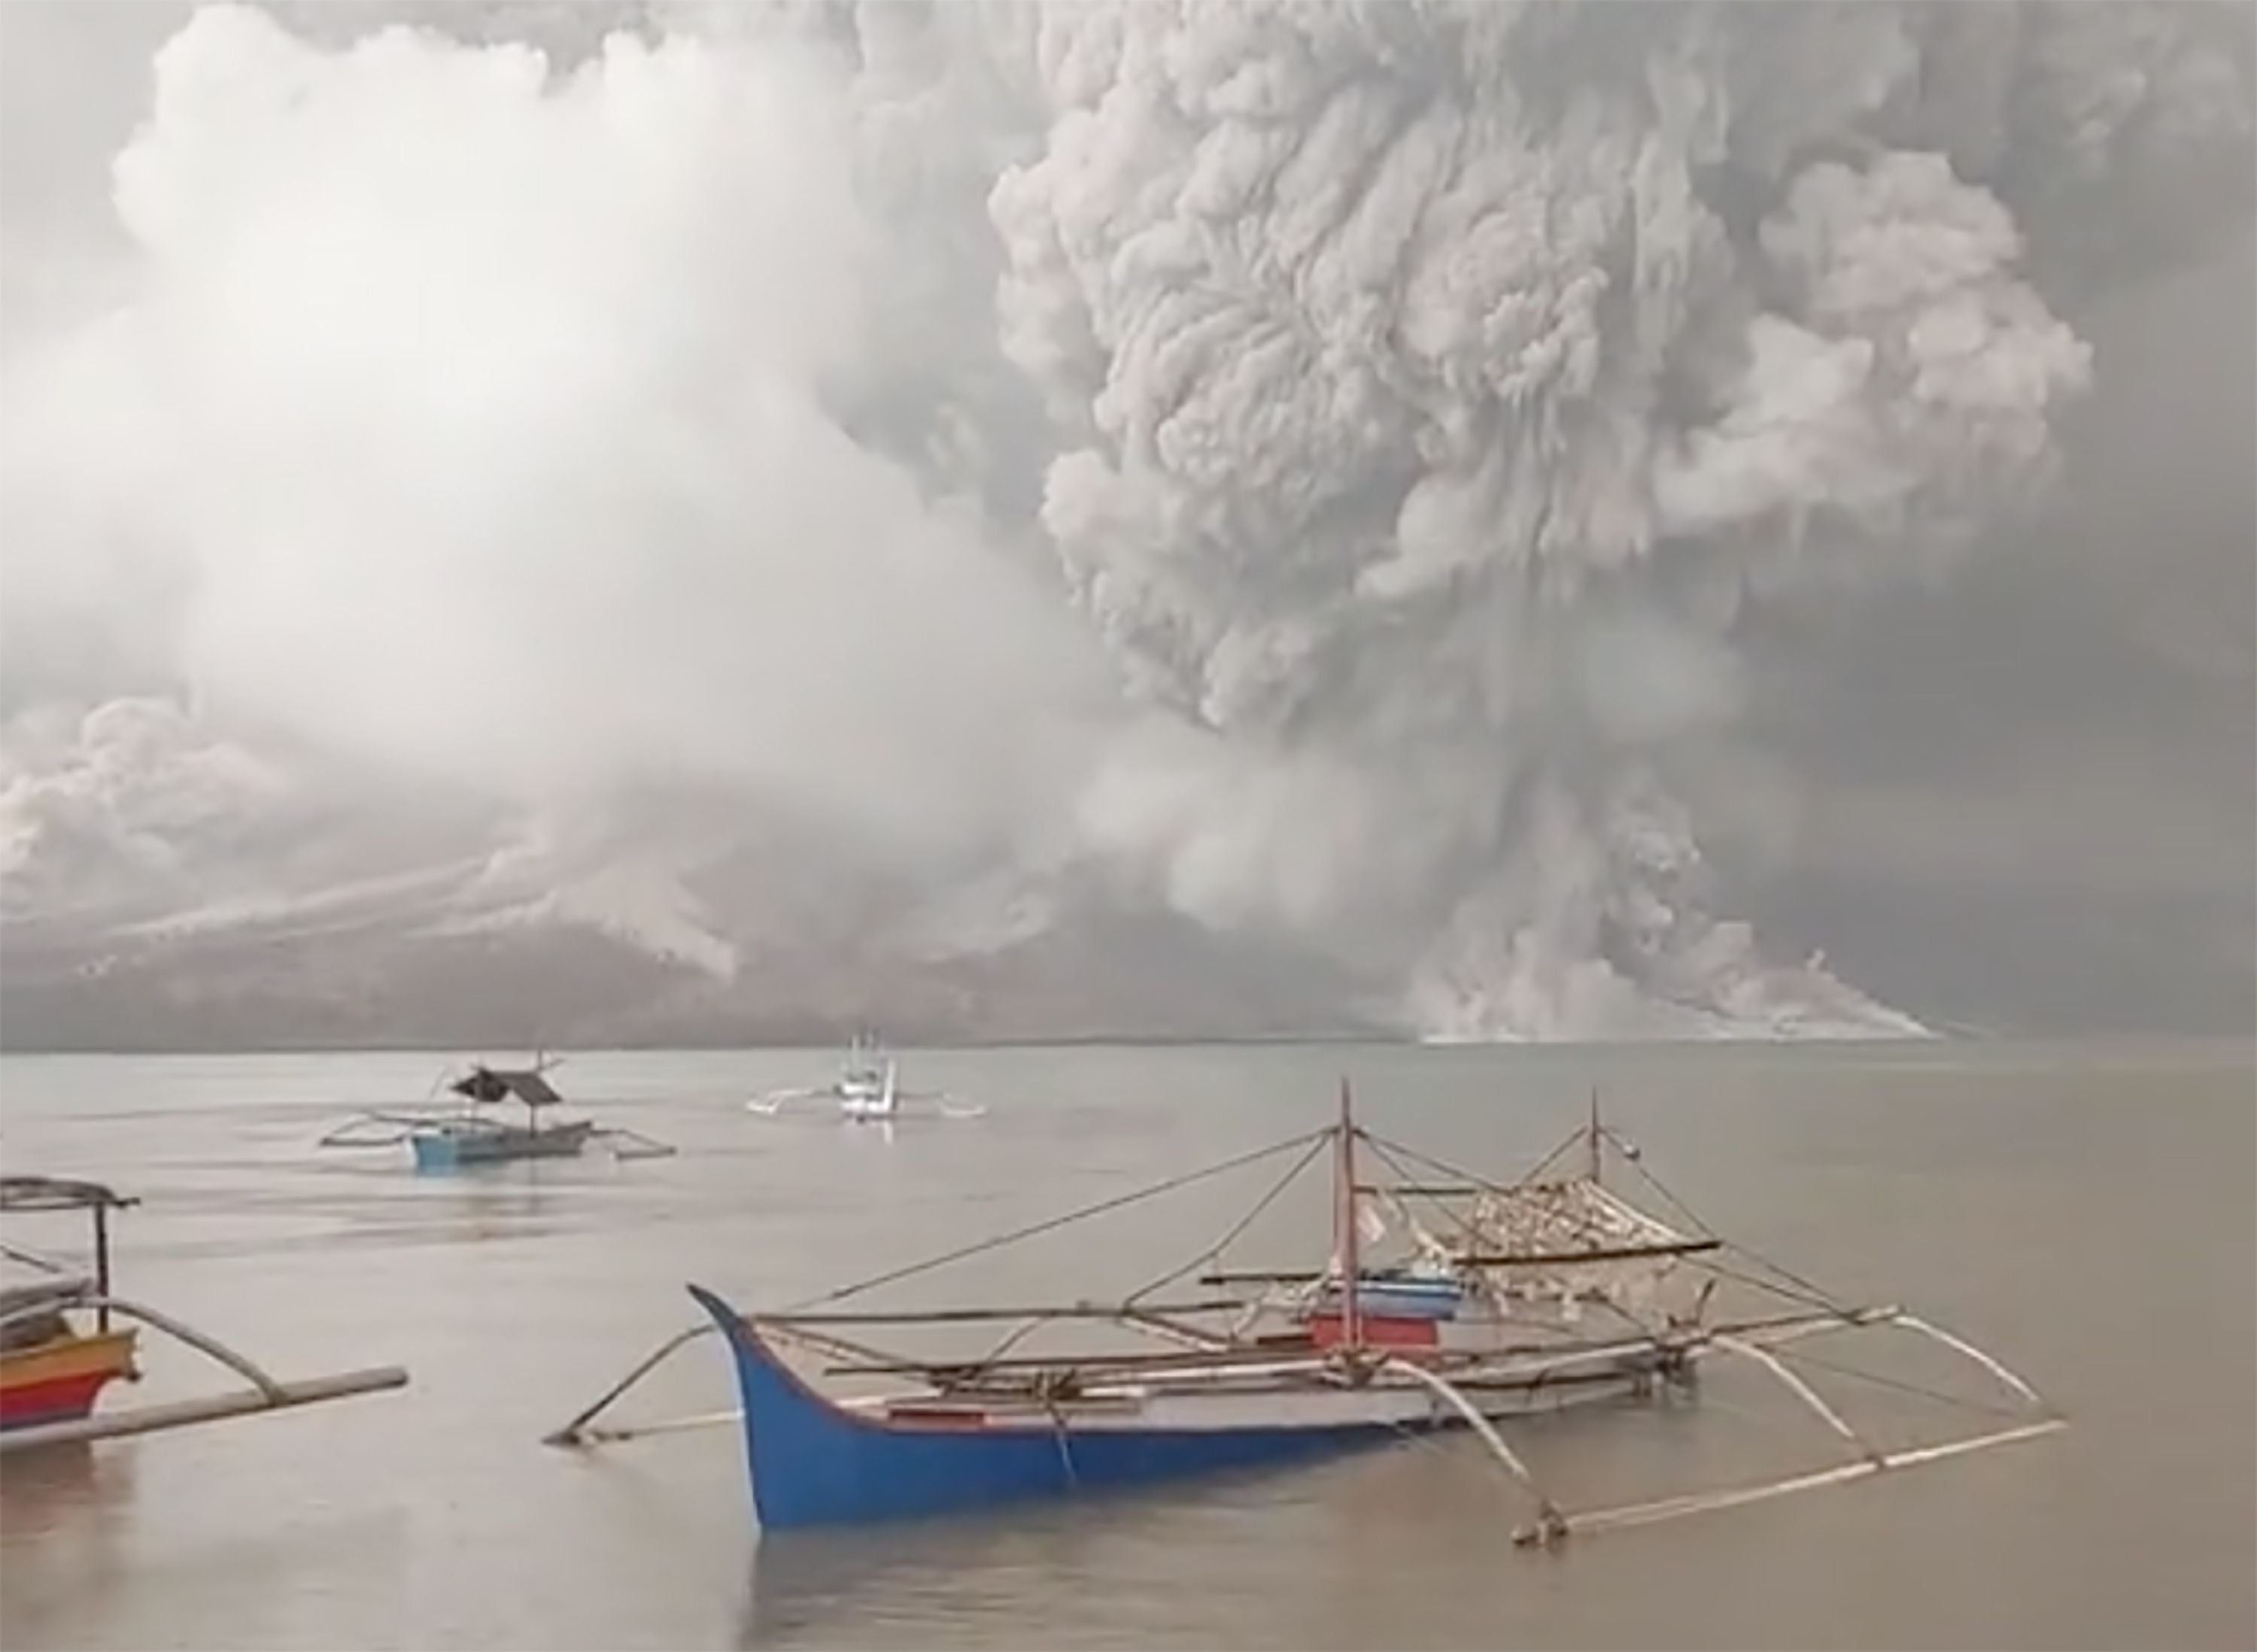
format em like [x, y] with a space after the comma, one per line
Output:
[1439, 380]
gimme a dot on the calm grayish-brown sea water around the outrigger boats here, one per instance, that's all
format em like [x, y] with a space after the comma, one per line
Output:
[2084, 1213]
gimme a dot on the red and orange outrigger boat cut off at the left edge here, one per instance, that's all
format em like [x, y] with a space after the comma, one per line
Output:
[55, 1369]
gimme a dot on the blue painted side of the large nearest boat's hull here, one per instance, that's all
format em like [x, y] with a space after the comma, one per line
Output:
[816, 1464]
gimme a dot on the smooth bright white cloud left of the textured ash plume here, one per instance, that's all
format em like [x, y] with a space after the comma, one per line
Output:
[480, 423]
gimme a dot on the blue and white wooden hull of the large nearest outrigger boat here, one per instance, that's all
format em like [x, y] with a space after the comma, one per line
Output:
[820, 1464]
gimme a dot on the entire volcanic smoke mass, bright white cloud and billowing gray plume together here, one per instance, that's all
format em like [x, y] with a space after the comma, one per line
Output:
[1414, 401]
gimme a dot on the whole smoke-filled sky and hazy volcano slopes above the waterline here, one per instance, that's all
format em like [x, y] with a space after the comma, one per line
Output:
[1479, 520]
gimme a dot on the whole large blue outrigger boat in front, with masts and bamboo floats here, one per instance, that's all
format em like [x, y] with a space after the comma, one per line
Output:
[1511, 1299]
